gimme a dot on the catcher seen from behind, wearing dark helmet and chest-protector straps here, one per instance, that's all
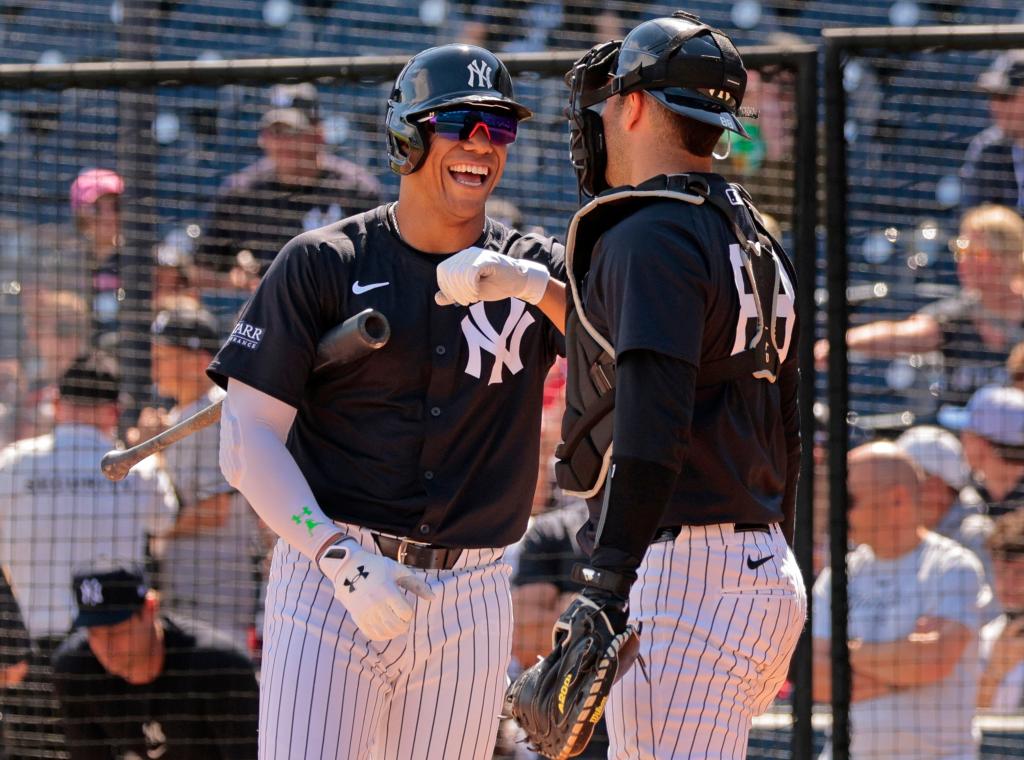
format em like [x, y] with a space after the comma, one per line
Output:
[681, 425]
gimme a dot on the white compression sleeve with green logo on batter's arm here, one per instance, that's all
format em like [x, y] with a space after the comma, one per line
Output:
[253, 458]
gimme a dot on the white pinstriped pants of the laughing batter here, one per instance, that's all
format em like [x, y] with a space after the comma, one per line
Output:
[434, 694]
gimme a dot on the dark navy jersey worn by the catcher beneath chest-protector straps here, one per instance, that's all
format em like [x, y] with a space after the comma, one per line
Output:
[669, 279]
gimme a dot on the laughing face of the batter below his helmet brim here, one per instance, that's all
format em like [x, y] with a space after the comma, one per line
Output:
[458, 177]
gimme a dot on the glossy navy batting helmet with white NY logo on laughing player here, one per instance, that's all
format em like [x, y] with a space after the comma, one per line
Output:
[440, 79]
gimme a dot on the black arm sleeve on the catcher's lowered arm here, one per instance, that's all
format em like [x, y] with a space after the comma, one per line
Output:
[654, 410]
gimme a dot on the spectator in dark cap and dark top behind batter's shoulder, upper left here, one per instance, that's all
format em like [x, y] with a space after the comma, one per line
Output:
[296, 187]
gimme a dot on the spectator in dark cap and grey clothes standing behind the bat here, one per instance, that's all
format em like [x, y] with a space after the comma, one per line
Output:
[209, 562]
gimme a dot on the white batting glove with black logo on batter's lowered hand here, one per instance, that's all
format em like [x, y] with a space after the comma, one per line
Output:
[371, 588]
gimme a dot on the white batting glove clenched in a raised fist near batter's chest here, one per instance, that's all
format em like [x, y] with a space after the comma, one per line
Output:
[478, 275]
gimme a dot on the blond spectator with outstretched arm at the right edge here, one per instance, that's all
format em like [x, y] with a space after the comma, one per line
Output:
[975, 329]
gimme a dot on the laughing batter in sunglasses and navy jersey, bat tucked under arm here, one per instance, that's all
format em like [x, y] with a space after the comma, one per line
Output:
[395, 482]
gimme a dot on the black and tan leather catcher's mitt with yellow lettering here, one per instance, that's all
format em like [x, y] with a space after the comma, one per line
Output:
[559, 701]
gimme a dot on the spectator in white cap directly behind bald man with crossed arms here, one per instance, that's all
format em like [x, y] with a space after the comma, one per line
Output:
[950, 504]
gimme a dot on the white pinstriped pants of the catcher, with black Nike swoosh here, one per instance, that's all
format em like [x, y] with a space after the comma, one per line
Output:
[717, 641]
